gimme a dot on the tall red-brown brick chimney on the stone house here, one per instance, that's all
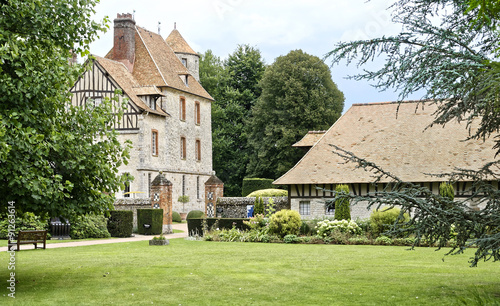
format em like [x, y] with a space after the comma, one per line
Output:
[124, 40]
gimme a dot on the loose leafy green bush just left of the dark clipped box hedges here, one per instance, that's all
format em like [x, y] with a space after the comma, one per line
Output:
[89, 226]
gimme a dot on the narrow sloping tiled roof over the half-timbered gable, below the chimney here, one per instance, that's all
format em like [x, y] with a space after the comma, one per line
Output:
[120, 74]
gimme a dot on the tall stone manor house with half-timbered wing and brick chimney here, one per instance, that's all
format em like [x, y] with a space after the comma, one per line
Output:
[168, 115]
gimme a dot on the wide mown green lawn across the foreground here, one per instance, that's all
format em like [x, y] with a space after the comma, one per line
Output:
[215, 273]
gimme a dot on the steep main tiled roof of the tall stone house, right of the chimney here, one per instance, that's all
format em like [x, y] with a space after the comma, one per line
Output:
[156, 64]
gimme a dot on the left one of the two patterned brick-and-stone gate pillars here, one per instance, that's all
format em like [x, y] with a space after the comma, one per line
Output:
[161, 197]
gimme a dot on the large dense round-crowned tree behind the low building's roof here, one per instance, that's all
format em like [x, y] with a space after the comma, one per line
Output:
[298, 95]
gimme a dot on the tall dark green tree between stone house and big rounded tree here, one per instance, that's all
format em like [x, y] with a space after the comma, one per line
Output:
[234, 86]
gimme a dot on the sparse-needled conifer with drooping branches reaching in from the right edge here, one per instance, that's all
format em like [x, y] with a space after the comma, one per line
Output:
[449, 49]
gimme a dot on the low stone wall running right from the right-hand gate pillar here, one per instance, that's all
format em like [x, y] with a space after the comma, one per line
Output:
[228, 207]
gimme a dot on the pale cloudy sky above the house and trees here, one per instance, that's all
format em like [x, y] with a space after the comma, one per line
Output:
[275, 27]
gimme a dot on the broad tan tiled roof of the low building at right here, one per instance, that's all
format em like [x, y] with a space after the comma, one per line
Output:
[396, 140]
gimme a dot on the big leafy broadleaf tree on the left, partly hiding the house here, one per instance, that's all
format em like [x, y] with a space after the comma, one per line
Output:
[55, 159]
